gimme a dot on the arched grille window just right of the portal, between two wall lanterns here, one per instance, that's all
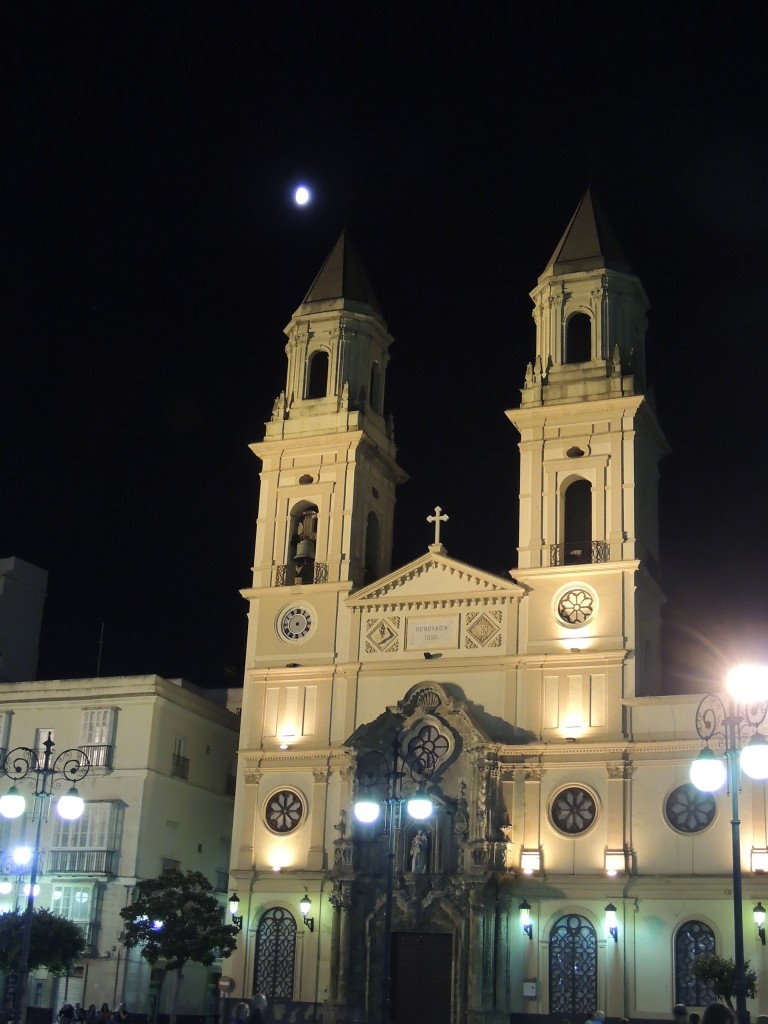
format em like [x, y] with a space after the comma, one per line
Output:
[573, 968]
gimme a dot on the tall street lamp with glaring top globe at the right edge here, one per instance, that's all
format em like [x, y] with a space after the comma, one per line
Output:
[735, 719]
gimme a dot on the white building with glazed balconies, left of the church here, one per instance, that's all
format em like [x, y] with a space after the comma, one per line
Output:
[159, 794]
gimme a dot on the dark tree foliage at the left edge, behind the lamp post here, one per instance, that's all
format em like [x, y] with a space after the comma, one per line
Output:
[55, 943]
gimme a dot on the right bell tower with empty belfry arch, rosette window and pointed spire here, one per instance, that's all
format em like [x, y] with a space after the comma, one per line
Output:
[589, 453]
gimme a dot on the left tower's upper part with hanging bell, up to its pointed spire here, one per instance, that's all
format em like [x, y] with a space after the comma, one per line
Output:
[329, 470]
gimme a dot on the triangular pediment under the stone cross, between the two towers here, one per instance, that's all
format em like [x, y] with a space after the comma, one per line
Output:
[436, 577]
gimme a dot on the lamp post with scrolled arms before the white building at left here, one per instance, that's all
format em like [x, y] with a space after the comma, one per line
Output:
[42, 775]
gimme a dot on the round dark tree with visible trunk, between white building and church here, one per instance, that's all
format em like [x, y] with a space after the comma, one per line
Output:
[177, 919]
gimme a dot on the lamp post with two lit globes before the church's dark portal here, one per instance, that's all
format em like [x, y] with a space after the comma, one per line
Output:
[415, 765]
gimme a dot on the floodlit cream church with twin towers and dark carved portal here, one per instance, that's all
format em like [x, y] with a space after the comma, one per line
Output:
[569, 865]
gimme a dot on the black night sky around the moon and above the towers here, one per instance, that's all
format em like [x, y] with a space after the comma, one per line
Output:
[152, 257]
